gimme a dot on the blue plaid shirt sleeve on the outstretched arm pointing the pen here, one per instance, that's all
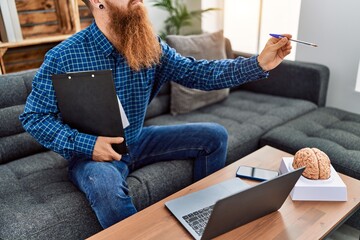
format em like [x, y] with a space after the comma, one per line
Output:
[208, 75]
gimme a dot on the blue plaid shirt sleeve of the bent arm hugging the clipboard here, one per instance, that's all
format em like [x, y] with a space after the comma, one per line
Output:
[42, 120]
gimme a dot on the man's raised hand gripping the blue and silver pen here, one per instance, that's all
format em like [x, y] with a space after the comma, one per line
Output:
[274, 52]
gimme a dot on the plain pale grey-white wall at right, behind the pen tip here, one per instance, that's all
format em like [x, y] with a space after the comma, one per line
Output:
[335, 26]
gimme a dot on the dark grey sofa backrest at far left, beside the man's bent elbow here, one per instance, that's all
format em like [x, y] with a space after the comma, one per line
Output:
[15, 143]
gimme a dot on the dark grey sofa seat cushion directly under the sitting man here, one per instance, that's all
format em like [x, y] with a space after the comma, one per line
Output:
[37, 201]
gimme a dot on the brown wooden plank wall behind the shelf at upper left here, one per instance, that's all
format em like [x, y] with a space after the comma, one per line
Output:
[41, 19]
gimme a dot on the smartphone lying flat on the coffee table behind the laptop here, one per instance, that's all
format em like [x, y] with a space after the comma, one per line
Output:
[254, 173]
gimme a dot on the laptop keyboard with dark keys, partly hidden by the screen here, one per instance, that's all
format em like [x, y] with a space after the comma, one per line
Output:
[198, 219]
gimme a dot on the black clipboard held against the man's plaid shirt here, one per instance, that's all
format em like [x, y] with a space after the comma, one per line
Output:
[88, 103]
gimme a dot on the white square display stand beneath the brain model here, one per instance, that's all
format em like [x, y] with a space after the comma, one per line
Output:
[332, 189]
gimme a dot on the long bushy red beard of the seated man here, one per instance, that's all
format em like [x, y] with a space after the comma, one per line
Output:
[135, 38]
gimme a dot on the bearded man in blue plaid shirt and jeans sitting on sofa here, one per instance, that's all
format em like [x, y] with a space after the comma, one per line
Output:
[121, 38]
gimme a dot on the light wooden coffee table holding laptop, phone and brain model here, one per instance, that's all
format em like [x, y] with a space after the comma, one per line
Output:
[294, 220]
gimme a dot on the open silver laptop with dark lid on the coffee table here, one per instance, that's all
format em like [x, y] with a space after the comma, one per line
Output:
[222, 207]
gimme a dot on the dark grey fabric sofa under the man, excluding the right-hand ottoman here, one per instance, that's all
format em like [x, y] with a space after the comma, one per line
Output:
[37, 201]
